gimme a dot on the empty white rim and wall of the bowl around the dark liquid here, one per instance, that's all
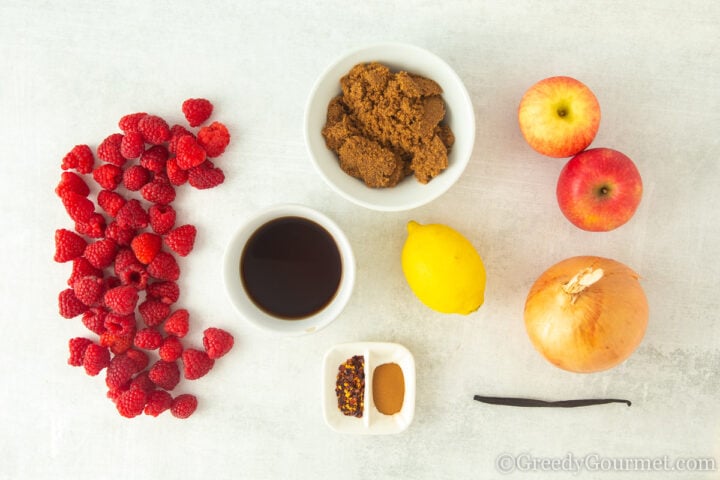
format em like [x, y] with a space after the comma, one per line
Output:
[251, 312]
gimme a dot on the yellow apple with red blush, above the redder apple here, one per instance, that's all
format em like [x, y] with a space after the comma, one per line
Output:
[559, 116]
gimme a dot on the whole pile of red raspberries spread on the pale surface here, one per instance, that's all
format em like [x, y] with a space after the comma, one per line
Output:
[124, 276]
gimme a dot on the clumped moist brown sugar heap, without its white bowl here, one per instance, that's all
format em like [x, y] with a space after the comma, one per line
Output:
[386, 126]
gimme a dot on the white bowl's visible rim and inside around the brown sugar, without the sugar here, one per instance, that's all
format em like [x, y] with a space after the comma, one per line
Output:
[409, 193]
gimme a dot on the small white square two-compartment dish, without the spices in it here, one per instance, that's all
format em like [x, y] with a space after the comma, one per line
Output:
[372, 422]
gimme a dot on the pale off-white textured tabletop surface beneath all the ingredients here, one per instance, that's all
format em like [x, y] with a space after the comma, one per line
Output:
[69, 70]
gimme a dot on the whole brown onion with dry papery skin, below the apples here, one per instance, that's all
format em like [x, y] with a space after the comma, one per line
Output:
[586, 314]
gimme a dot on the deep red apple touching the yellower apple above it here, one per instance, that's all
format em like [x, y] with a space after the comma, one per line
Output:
[599, 189]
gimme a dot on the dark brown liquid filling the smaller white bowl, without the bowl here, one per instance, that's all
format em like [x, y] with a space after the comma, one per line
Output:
[291, 268]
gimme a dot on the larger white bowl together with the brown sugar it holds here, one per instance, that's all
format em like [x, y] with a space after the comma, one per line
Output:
[390, 126]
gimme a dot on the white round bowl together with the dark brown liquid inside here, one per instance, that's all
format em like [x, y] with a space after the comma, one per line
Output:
[289, 270]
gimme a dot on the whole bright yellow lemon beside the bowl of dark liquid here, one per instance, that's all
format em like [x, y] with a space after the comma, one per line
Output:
[443, 269]
